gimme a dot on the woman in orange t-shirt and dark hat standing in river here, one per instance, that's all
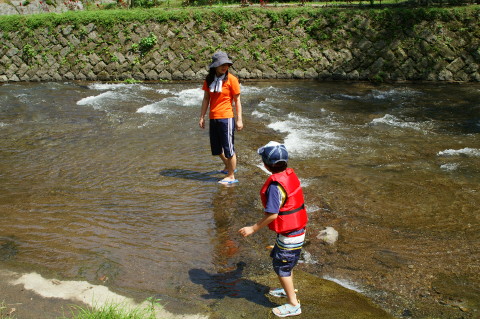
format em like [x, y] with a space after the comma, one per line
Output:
[222, 94]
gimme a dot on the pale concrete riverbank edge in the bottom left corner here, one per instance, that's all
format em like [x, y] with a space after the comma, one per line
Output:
[30, 295]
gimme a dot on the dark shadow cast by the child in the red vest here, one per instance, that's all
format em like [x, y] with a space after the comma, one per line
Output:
[230, 284]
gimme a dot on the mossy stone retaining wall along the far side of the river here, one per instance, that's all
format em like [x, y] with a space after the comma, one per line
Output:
[387, 45]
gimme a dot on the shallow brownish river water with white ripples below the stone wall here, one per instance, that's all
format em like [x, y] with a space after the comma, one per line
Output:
[115, 183]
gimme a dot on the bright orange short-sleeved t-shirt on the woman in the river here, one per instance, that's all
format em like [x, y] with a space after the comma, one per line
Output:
[221, 102]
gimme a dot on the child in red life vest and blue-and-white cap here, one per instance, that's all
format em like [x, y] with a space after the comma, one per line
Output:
[285, 213]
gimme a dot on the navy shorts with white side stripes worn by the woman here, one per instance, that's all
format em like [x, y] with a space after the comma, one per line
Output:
[221, 136]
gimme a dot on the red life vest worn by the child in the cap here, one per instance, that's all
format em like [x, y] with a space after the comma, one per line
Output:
[293, 215]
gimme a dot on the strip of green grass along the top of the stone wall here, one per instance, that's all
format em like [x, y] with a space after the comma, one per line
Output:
[315, 18]
